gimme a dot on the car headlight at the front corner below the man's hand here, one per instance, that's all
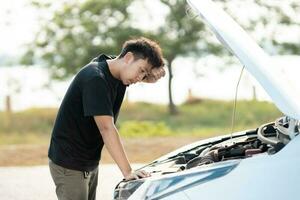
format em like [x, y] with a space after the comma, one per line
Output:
[125, 189]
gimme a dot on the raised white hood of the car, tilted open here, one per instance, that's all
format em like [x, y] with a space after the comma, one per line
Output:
[252, 56]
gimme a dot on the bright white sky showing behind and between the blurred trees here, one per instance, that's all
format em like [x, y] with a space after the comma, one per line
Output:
[29, 87]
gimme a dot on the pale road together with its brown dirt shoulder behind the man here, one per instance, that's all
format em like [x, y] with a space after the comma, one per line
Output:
[26, 174]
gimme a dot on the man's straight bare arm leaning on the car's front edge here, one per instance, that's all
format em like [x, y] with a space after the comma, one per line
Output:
[115, 148]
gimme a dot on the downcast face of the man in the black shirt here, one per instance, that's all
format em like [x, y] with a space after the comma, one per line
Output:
[134, 70]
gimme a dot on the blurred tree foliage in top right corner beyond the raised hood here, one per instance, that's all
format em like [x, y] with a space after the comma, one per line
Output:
[274, 20]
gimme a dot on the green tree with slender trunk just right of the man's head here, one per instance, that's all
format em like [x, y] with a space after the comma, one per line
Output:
[182, 35]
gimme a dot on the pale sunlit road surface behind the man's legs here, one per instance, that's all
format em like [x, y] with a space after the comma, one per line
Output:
[35, 183]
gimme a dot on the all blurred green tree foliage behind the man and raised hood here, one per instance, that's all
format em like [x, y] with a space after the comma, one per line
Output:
[77, 31]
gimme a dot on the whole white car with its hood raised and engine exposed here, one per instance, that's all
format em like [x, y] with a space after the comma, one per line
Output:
[262, 163]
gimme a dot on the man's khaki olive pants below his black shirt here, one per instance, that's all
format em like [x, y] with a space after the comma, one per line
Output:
[72, 184]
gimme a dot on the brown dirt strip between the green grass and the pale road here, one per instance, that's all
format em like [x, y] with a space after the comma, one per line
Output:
[139, 150]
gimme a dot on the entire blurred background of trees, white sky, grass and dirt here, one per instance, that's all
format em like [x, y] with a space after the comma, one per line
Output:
[44, 43]
